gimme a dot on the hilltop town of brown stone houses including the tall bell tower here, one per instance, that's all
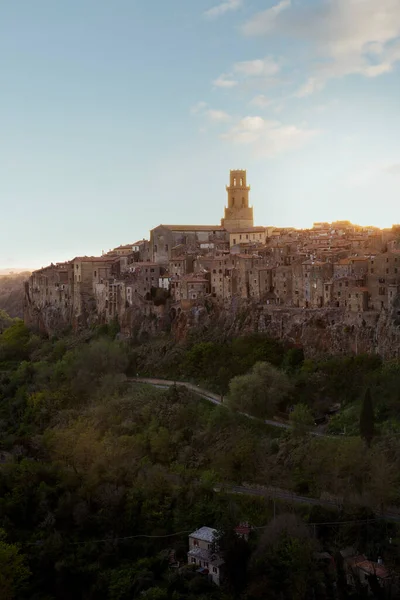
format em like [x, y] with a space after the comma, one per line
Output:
[329, 265]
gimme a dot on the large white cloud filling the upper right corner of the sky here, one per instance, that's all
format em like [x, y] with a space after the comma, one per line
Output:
[348, 36]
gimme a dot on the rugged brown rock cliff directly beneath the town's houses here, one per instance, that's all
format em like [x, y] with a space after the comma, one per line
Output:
[318, 331]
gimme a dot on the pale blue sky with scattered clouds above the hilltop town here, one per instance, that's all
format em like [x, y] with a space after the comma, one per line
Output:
[118, 116]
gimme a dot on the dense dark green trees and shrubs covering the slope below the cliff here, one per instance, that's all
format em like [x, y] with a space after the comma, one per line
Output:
[90, 462]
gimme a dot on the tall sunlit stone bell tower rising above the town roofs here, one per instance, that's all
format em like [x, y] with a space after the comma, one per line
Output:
[238, 213]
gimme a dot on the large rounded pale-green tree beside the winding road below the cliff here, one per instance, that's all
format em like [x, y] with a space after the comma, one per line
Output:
[260, 392]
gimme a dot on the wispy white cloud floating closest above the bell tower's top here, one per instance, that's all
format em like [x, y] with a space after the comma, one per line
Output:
[268, 138]
